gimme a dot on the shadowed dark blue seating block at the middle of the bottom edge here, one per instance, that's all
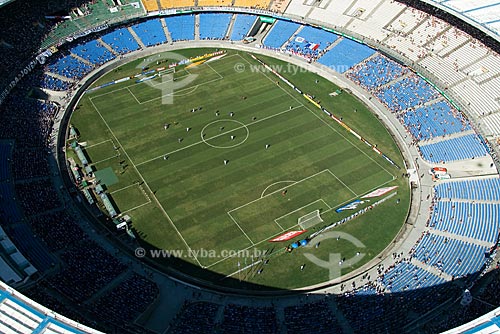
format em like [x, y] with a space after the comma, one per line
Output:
[245, 319]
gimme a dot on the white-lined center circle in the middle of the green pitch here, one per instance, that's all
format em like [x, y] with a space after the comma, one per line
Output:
[224, 131]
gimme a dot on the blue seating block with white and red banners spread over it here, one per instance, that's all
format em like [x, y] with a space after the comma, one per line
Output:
[311, 41]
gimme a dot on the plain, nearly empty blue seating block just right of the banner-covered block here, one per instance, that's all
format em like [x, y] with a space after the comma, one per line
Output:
[345, 55]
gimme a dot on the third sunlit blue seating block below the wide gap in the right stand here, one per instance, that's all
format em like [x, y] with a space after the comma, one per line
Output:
[452, 256]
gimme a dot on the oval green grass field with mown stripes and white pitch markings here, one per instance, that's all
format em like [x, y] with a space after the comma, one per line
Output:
[241, 169]
